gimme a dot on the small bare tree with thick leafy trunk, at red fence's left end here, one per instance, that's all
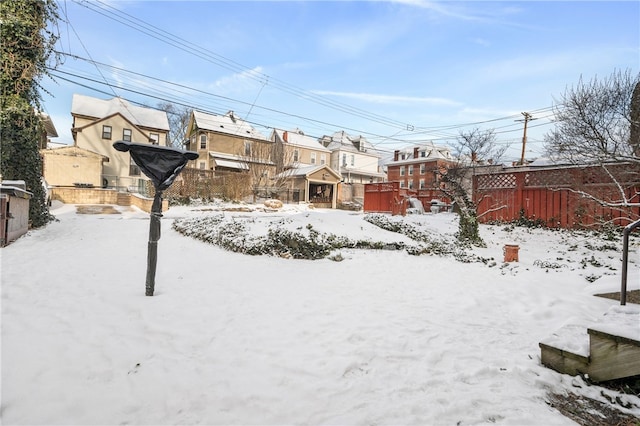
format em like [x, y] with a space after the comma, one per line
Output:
[473, 149]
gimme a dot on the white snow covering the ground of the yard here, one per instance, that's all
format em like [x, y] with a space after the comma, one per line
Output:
[381, 337]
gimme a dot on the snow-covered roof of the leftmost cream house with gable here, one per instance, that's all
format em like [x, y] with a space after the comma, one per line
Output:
[99, 108]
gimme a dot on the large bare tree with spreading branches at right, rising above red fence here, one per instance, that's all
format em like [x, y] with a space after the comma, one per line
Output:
[598, 125]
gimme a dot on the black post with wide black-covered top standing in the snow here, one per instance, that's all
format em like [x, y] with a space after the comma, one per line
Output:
[162, 165]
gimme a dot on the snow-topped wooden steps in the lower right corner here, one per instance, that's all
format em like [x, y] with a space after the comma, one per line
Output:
[605, 351]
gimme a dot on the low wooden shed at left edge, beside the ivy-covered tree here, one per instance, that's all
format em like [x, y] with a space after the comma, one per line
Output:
[14, 210]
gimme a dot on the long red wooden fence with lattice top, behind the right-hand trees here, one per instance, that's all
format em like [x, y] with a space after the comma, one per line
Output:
[563, 197]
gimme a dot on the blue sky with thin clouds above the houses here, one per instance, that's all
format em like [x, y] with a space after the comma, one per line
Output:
[397, 72]
